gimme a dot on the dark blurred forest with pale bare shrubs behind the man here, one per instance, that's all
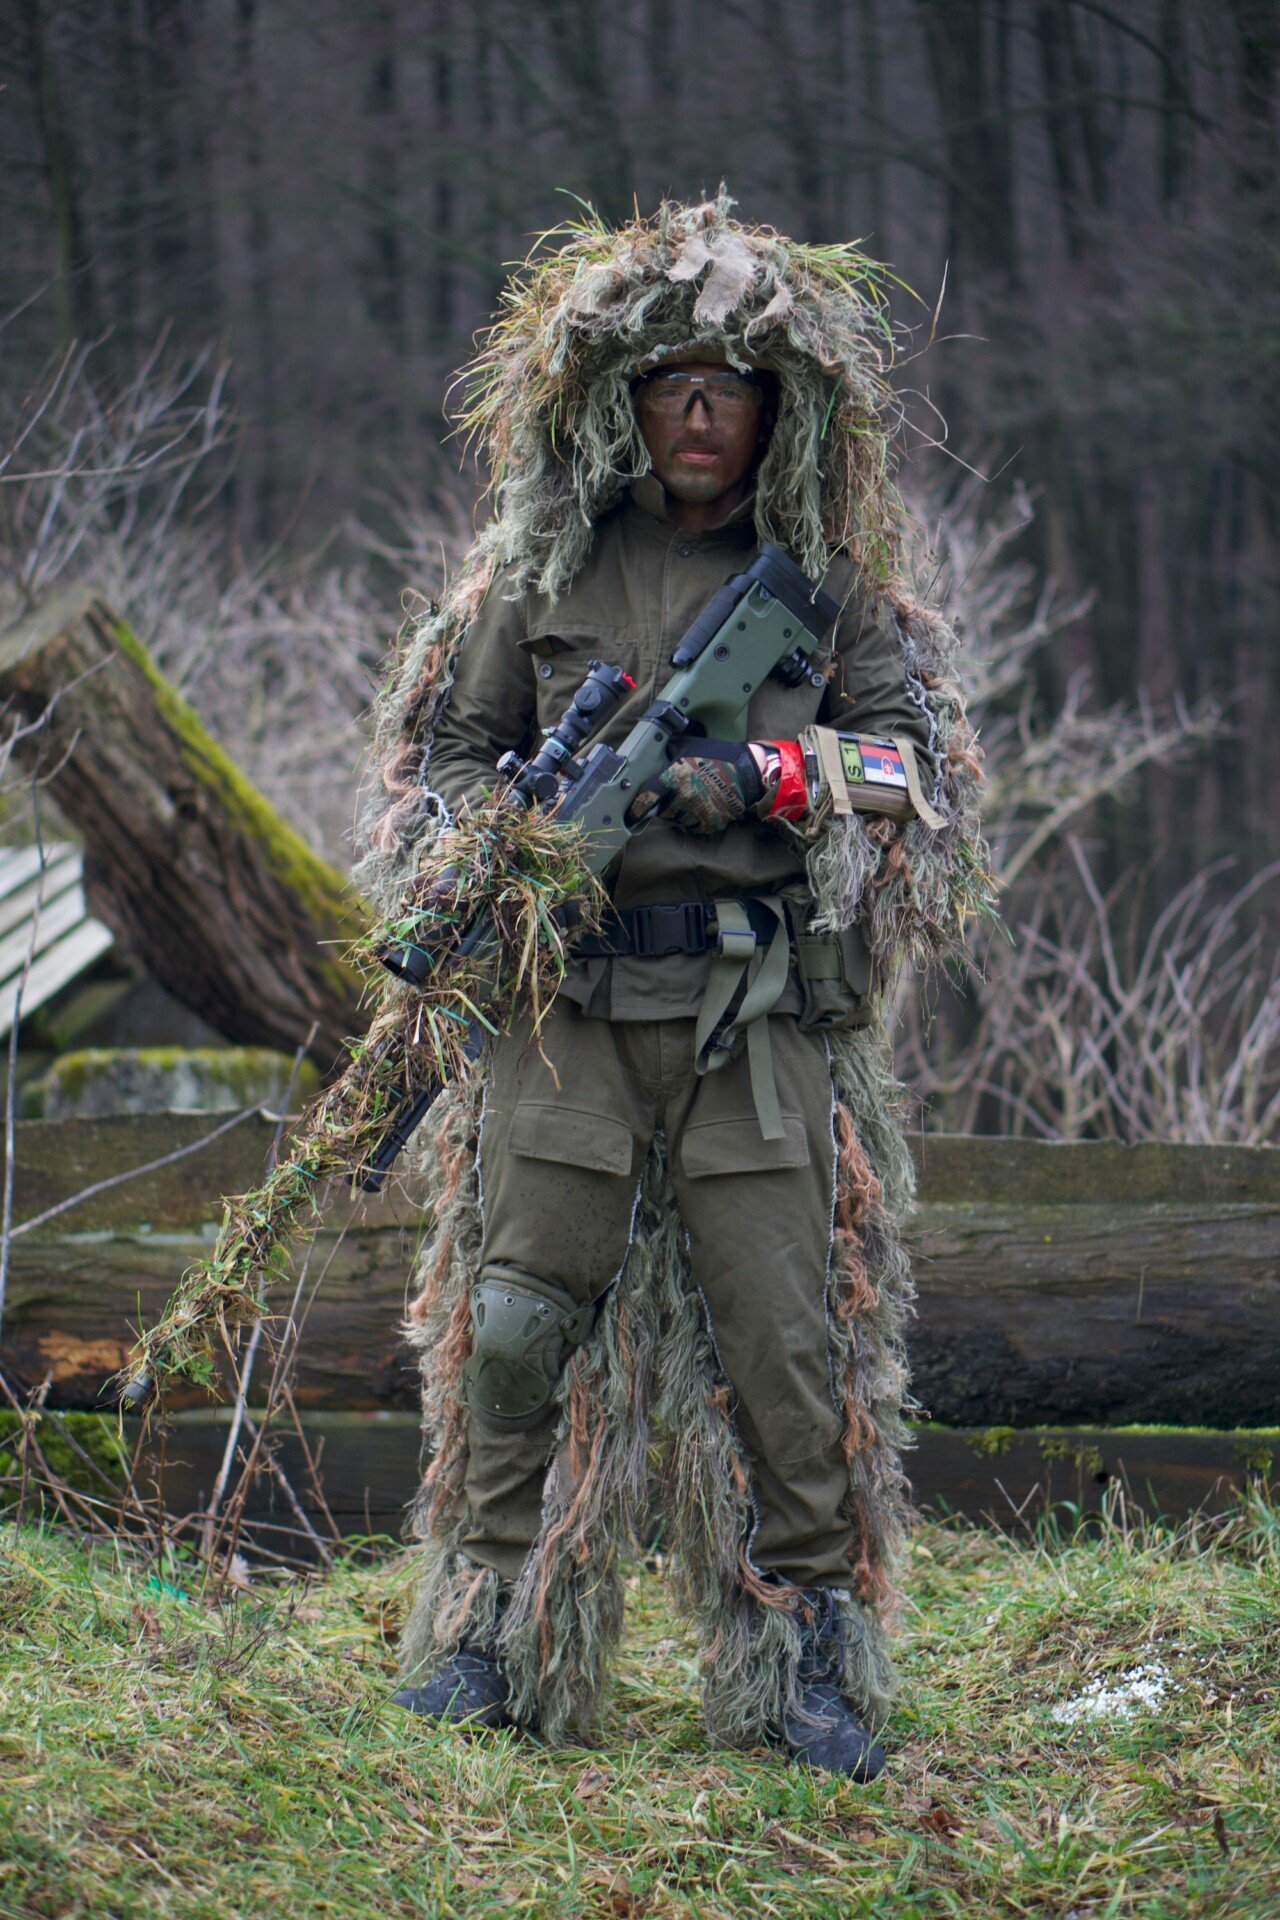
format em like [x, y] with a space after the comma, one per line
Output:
[247, 245]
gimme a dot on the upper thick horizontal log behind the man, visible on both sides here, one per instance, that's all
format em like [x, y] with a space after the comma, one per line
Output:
[1058, 1285]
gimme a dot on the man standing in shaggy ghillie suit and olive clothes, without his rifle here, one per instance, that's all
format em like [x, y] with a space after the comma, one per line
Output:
[642, 1253]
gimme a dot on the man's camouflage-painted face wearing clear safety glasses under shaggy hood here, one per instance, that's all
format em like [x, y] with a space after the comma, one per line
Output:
[703, 427]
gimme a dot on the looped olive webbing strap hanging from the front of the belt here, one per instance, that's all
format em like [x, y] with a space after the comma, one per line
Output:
[732, 972]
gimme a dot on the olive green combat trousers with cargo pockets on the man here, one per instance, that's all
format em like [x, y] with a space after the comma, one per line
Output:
[559, 1170]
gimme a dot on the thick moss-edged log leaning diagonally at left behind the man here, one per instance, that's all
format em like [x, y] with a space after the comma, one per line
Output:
[183, 857]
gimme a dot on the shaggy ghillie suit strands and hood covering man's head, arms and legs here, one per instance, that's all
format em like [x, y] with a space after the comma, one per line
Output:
[548, 398]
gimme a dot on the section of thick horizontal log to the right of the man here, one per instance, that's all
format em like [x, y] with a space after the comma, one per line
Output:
[1095, 1282]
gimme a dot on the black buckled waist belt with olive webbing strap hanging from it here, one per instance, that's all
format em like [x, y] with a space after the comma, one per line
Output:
[753, 944]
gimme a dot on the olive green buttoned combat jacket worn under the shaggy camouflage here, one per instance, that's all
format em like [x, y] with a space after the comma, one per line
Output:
[638, 592]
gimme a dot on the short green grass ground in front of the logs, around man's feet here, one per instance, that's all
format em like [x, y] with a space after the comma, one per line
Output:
[166, 1756]
